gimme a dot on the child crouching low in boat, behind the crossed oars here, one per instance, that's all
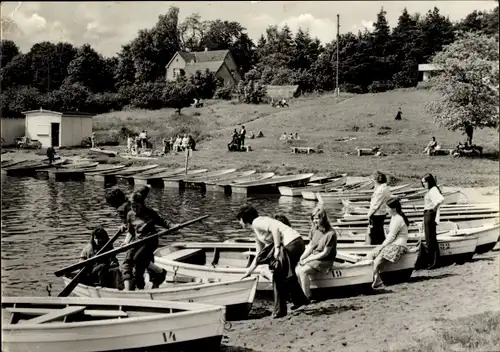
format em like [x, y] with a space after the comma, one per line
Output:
[104, 273]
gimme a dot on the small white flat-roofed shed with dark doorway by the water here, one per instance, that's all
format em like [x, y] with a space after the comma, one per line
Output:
[58, 129]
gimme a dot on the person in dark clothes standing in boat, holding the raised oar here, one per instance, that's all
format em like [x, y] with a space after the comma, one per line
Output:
[141, 222]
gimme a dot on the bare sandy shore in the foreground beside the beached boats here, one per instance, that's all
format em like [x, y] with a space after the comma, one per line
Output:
[385, 321]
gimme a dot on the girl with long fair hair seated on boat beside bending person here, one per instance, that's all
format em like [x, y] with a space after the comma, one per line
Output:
[321, 251]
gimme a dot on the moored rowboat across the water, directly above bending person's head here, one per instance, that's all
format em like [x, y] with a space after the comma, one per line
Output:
[270, 186]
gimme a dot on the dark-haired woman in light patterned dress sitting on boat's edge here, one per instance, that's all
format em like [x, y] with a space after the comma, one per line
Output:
[394, 245]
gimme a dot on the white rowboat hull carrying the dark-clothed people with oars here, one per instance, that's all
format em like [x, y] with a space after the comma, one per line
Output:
[237, 296]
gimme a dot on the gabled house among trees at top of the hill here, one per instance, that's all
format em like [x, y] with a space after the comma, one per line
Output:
[220, 62]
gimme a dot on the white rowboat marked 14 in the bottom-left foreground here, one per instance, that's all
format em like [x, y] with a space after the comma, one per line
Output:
[142, 332]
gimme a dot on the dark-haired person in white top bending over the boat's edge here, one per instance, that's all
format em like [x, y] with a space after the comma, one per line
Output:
[280, 246]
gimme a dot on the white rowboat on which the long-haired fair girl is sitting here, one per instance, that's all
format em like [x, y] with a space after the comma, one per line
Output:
[228, 261]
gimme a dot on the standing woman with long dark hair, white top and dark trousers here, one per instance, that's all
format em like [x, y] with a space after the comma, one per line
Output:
[432, 202]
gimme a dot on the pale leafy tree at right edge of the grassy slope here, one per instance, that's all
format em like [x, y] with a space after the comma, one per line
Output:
[467, 88]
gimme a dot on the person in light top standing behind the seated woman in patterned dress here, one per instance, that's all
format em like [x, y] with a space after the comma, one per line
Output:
[378, 211]
